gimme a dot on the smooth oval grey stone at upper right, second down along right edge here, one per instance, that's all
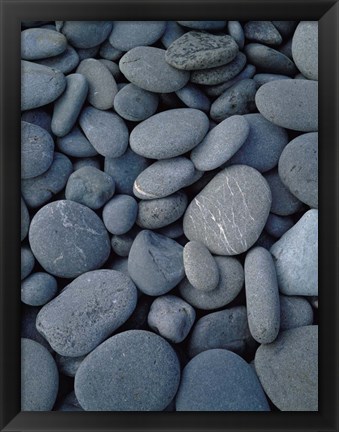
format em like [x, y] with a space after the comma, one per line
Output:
[292, 104]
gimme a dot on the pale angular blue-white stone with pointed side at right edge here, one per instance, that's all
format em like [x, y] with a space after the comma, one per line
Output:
[296, 257]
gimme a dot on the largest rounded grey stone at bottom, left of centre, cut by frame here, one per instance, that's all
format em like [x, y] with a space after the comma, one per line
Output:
[145, 362]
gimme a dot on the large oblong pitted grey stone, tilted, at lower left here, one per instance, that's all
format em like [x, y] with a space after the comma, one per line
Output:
[106, 297]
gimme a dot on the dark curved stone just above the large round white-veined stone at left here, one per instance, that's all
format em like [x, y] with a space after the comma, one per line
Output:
[39, 190]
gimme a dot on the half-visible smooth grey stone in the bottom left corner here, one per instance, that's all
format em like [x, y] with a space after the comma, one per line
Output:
[39, 385]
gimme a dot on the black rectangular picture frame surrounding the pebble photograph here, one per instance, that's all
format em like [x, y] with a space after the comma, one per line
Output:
[12, 12]
